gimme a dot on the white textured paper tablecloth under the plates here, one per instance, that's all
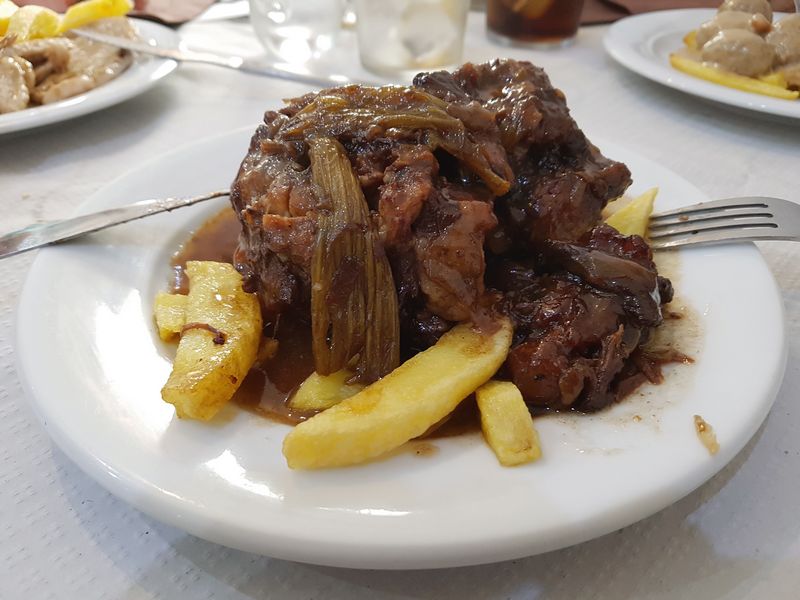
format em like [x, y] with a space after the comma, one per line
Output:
[63, 536]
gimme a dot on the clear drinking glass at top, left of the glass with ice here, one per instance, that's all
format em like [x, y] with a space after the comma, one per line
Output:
[297, 31]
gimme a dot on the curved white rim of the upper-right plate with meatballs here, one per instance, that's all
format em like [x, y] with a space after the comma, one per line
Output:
[618, 45]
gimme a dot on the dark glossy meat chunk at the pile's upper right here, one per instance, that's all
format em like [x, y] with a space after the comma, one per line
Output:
[562, 180]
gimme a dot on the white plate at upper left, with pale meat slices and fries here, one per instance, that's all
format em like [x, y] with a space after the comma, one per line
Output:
[136, 79]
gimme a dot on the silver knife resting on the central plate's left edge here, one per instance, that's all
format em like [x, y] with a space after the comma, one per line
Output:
[43, 234]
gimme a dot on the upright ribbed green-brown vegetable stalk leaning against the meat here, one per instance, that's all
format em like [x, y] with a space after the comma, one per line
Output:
[354, 310]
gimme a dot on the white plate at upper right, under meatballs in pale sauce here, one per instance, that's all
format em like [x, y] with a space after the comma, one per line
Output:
[643, 43]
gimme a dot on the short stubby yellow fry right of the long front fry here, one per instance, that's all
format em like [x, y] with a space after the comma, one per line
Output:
[507, 424]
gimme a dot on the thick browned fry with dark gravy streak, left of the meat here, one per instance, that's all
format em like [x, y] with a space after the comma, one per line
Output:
[219, 342]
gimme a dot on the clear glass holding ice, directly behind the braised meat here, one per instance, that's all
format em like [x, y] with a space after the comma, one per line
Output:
[403, 37]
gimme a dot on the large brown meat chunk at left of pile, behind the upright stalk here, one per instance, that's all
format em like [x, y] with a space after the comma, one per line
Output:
[391, 136]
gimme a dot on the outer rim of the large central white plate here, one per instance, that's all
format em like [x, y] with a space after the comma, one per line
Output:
[138, 492]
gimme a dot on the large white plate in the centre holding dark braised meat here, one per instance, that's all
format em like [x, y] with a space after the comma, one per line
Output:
[92, 366]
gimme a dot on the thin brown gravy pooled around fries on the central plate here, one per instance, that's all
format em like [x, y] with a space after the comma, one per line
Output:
[269, 385]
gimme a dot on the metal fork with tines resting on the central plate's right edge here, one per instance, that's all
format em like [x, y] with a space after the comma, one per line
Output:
[719, 221]
